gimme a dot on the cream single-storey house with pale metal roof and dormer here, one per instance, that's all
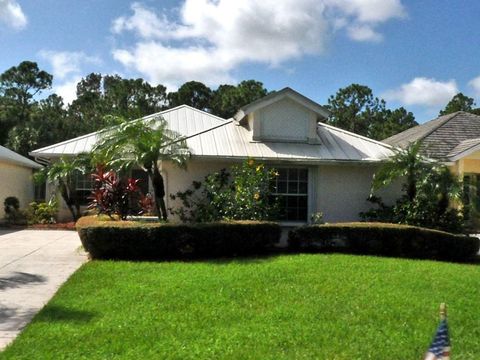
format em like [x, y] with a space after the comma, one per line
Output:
[322, 168]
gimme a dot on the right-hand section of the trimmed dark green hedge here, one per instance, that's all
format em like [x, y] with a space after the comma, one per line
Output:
[384, 239]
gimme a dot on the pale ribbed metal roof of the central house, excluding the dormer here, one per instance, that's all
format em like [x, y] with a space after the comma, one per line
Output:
[210, 136]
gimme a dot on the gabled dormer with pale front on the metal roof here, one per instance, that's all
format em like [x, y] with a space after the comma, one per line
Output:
[282, 116]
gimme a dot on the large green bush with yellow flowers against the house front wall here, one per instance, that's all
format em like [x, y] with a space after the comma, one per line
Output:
[246, 194]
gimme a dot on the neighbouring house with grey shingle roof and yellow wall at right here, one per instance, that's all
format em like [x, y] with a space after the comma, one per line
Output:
[454, 140]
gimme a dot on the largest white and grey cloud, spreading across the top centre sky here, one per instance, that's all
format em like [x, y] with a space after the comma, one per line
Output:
[213, 37]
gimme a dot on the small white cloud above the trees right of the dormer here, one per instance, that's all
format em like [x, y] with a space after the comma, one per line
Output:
[424, 91]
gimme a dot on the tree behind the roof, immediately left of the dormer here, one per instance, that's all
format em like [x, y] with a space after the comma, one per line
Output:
[228, 99]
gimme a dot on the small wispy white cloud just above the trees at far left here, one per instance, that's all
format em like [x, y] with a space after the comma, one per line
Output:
[67, 68]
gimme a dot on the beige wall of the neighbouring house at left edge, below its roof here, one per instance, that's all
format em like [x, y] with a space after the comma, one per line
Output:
[15, 181]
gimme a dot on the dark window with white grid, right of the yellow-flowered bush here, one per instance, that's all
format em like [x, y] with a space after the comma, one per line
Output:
[291, 190]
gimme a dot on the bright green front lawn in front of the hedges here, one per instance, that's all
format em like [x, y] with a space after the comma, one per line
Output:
[284, 307]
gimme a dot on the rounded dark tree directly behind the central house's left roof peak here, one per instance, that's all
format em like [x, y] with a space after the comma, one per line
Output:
[192, 93]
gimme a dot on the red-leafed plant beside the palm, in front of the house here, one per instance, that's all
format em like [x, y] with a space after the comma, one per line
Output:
[112, 194]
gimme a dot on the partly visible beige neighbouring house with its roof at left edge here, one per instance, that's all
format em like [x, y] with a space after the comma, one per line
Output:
[16, 178]
